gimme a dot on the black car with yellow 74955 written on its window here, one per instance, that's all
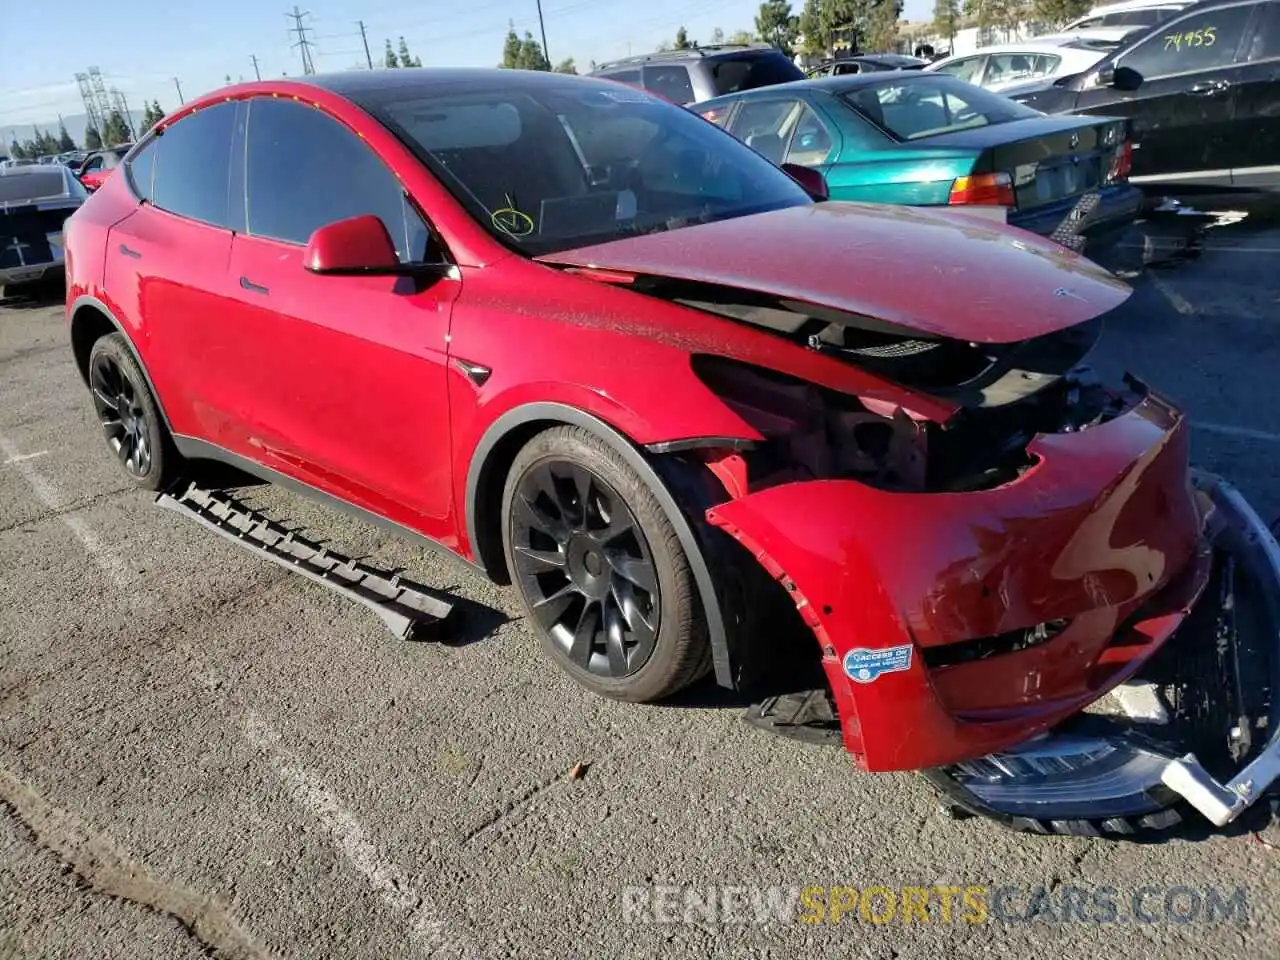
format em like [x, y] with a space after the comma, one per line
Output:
[1201, 89]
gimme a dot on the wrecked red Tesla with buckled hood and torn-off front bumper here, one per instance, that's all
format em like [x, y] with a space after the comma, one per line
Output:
[848, 459]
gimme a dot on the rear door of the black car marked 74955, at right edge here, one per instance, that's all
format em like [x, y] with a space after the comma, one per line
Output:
[1256, 130]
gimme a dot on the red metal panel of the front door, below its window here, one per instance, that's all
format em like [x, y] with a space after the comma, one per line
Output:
[337, 381]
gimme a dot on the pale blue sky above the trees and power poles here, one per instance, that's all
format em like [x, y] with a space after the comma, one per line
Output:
[141, 45]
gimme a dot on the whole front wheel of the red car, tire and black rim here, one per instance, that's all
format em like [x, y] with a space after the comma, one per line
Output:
[607, 587]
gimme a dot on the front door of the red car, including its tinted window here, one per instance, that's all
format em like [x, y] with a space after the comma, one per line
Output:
[337, 381]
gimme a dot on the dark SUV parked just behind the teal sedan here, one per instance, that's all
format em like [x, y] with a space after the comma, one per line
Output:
[703, 72]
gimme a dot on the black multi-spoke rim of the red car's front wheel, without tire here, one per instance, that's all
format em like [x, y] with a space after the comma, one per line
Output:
[586, 569]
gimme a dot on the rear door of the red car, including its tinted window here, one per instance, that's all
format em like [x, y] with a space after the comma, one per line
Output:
[166, 267]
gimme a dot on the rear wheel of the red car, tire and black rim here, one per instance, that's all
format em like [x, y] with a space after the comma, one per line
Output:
[129, 415]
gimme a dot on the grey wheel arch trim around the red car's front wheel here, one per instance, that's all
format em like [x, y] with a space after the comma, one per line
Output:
[487, 474]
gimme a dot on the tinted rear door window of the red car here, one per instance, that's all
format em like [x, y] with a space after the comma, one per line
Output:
[193, 166]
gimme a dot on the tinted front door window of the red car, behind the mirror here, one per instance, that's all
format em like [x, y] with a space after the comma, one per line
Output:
[307, 171]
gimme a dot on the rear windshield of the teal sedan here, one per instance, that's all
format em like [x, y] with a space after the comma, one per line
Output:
[927, 107]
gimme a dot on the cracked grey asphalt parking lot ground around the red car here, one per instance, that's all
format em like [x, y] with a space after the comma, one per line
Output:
[204, 755]
